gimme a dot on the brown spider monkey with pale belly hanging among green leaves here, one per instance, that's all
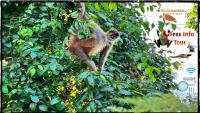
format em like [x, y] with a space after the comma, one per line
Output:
[99, 42]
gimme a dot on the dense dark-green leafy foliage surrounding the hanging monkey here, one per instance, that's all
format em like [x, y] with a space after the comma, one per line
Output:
[40, 75]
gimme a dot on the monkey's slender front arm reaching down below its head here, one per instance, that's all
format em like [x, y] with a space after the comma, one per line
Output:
[103, 56]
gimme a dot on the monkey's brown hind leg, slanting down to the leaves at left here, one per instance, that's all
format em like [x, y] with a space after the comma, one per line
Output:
[84, 57]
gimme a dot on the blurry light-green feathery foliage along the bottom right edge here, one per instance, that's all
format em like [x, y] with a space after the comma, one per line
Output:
[162, 103]
